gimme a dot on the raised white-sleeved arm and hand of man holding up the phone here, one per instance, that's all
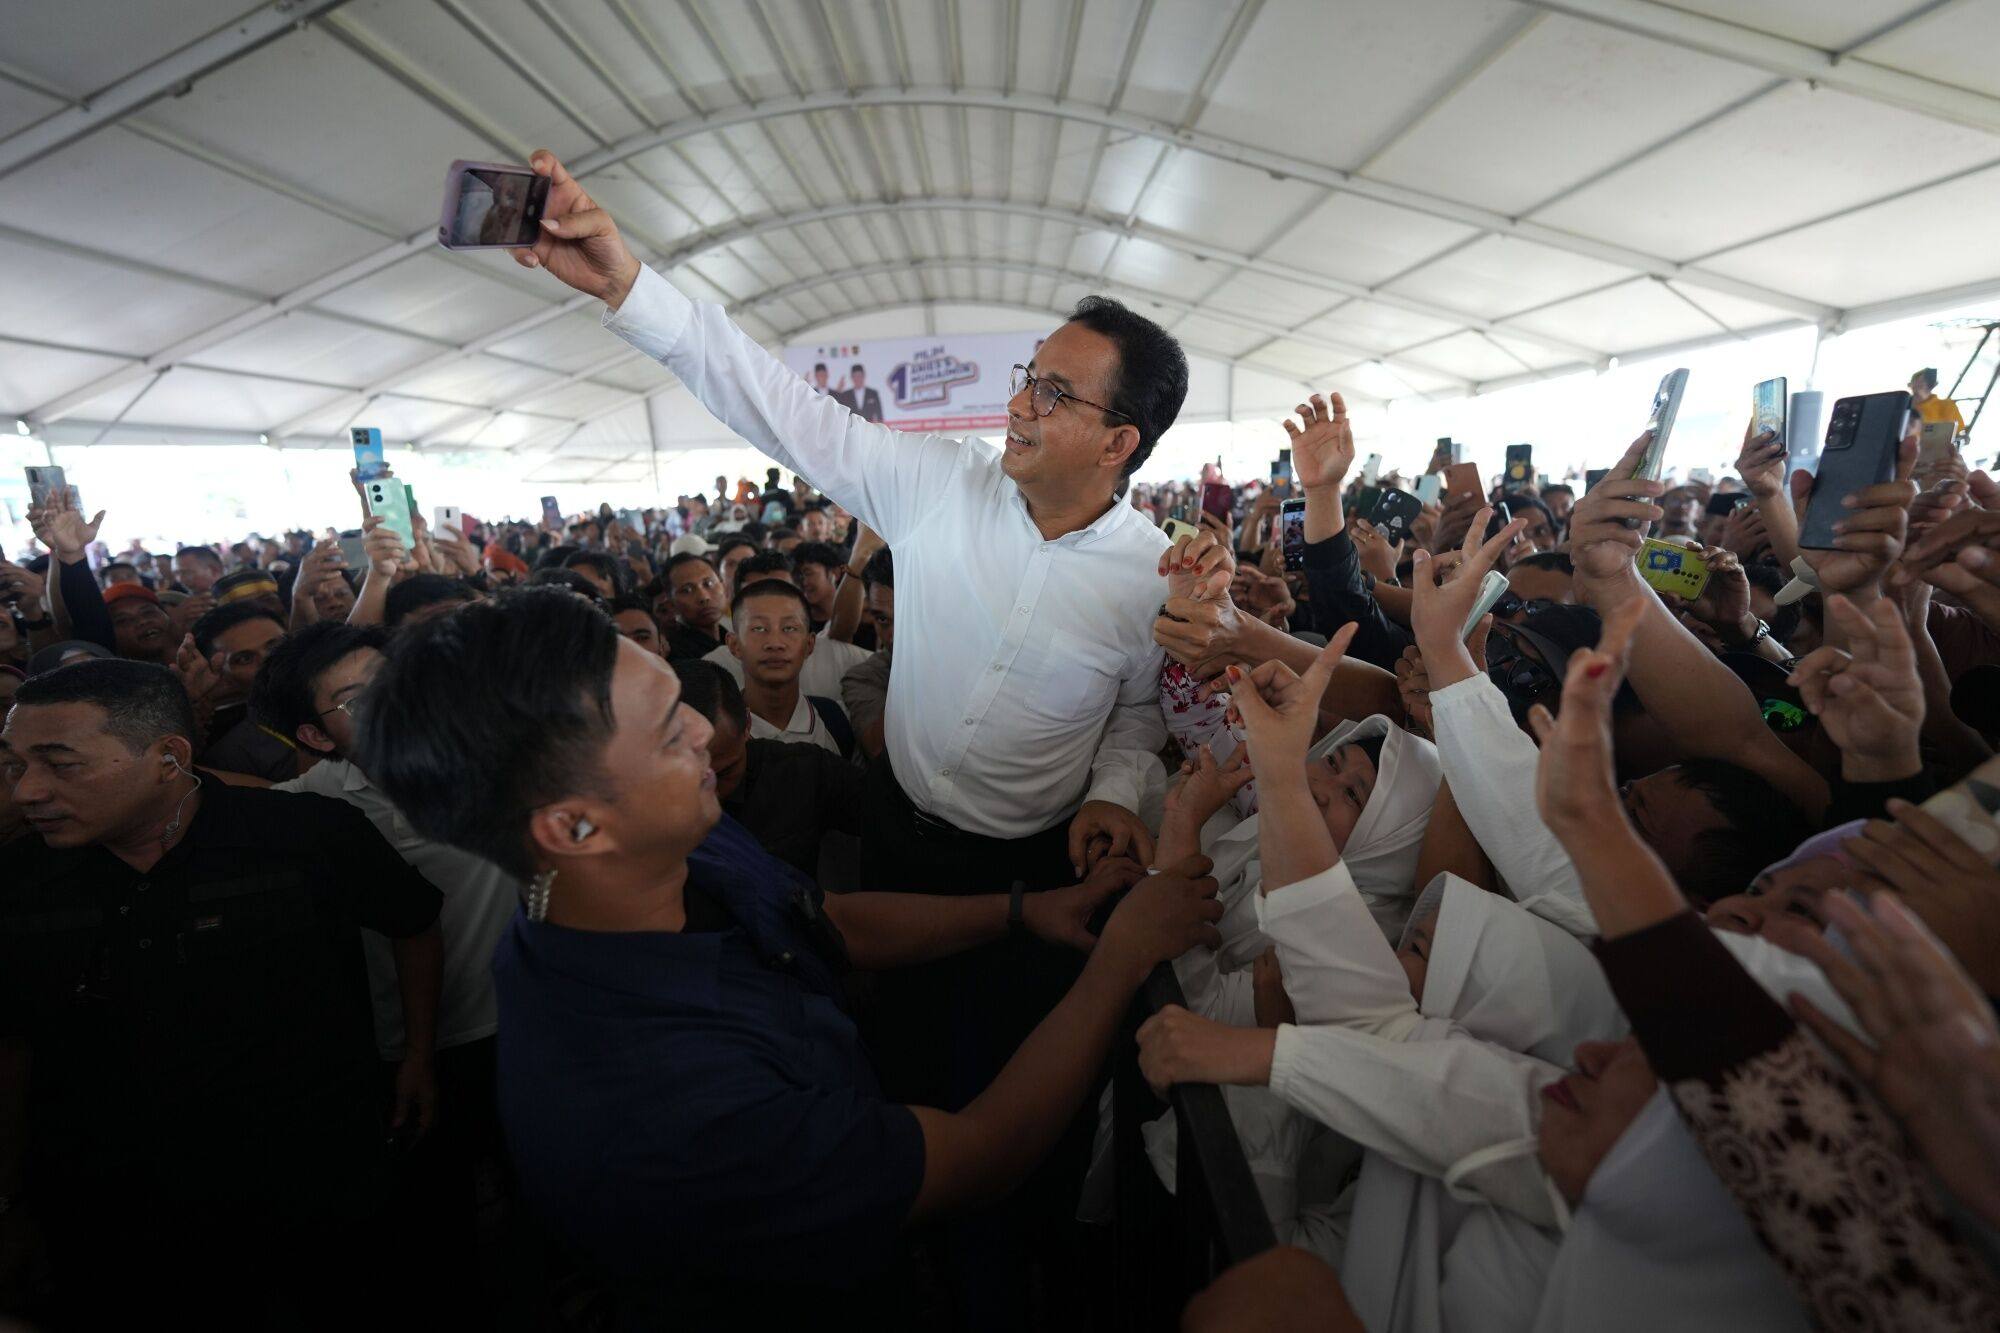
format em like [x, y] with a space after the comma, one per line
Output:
[877, 473]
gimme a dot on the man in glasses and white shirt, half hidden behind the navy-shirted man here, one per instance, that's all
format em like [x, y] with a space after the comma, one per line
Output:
[307, 692]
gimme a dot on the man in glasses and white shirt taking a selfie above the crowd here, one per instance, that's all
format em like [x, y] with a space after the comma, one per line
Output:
[1029, 680]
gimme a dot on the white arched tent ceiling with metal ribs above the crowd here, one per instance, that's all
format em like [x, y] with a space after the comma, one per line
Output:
[219, 225]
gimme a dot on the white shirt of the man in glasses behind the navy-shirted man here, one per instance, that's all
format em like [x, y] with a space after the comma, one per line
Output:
[479, 902]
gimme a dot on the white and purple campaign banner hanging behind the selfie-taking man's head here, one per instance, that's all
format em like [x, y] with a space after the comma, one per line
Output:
[949, 383]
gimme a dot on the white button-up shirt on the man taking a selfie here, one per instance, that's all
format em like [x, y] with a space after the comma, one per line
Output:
[1027, 680]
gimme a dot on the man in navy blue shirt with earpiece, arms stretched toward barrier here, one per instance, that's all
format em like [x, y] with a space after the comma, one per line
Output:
[685, 1096]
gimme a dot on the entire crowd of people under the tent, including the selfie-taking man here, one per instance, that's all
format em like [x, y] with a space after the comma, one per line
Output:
[615, 922]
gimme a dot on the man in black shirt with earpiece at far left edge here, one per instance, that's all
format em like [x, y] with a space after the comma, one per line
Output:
[185, 1000]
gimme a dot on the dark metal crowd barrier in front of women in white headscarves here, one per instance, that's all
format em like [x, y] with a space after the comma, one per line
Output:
[1167, 1248]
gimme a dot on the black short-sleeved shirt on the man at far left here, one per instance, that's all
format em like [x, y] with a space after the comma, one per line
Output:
[201, 1032]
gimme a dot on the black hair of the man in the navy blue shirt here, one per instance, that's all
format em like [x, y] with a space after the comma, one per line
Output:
[483, 718]
